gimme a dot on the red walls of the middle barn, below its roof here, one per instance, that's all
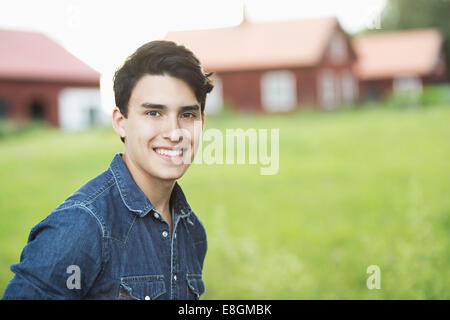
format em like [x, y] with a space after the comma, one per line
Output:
[243, 88]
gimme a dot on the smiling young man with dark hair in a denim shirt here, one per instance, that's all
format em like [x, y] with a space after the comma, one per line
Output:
[129, 233]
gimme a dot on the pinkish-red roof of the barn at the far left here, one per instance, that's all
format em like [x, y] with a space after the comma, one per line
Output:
[33, 56]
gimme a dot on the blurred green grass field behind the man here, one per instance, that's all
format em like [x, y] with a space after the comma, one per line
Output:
[355, 188]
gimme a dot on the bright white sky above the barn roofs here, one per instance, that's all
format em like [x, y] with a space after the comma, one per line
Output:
[103, 33]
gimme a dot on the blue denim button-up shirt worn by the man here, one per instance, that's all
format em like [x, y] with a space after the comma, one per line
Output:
[107, 241]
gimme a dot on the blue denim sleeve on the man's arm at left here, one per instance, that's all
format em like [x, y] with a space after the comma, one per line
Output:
[62, 258]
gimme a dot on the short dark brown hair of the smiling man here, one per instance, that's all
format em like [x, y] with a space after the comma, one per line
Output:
[158, 58]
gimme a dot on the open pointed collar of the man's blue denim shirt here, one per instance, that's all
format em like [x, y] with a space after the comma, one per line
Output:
[135, 199]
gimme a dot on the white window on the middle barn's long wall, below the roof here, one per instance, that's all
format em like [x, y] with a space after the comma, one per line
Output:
[278, 91]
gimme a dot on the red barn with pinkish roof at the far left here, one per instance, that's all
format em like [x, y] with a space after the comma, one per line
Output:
[39, 79]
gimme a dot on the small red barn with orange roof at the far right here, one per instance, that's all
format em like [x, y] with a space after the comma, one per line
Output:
[396, 61]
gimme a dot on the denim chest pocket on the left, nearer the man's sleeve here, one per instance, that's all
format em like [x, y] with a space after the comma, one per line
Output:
[141, 287]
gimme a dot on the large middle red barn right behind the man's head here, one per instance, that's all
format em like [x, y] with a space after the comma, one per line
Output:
[276, 66]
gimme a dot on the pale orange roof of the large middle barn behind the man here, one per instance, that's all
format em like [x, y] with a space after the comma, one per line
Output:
[296, 43]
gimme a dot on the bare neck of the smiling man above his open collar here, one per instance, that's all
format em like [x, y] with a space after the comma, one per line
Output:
[157, 191]
